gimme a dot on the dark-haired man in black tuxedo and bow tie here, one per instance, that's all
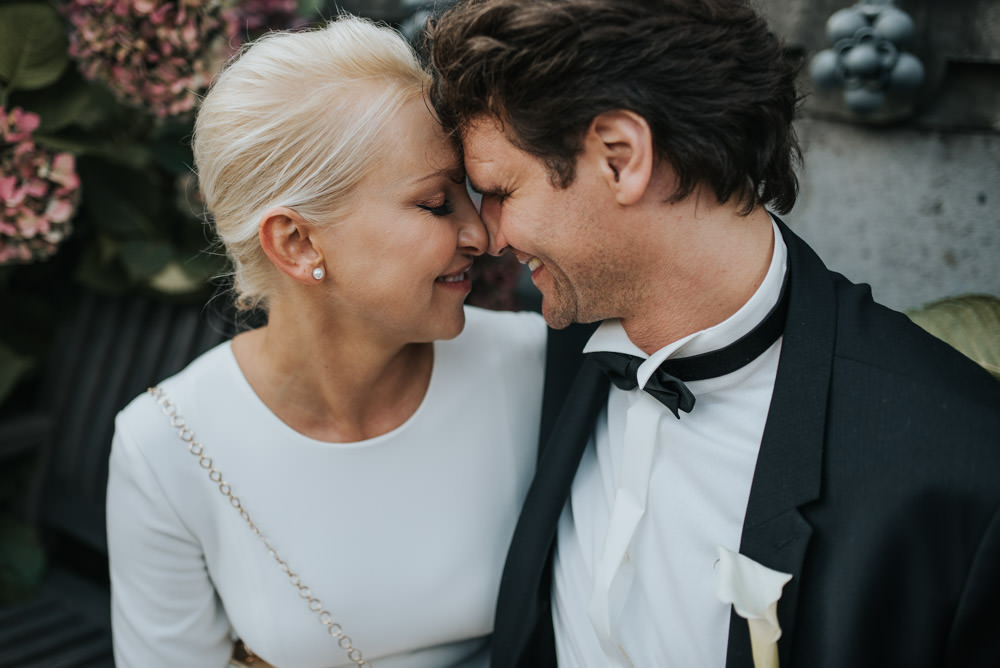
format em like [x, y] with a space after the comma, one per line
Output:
[731, 394]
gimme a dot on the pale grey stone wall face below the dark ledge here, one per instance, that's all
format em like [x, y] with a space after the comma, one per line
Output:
[915, 214]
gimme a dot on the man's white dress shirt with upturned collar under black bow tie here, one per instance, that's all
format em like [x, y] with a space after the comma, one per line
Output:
[635, 566]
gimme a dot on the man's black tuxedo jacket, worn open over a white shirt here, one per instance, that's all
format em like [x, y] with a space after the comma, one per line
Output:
[877, 487]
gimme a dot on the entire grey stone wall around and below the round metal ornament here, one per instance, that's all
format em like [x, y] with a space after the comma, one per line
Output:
[911, 205]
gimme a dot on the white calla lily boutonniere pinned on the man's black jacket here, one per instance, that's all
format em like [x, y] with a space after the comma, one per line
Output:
[753, 590]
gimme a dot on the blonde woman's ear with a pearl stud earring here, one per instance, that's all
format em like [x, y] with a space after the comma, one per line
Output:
[285, 238]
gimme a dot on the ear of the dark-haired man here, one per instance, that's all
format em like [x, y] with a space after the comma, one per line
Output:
[623, 144]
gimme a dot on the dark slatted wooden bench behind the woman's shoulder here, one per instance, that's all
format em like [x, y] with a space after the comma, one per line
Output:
[107, 352]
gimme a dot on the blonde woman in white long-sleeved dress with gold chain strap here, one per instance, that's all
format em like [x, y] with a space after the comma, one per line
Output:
[338, 487]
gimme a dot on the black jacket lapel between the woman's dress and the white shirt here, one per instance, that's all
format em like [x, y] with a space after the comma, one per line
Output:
[522, 606]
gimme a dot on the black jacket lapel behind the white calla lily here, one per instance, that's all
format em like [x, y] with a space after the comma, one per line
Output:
[789, 466]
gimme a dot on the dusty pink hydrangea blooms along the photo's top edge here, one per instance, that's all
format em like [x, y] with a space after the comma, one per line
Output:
[161, 55]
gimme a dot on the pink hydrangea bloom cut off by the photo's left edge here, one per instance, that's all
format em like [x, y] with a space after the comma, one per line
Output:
[39, 192]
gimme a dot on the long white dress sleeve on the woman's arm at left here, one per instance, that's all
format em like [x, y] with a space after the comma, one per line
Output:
[164, 609]
